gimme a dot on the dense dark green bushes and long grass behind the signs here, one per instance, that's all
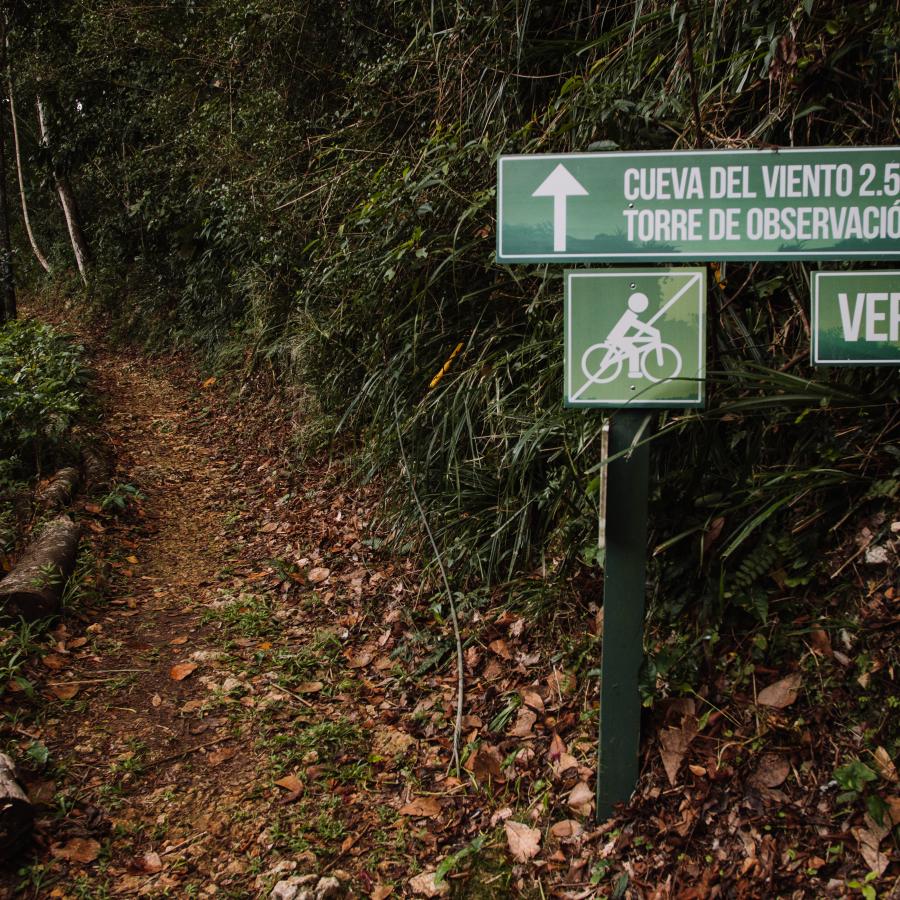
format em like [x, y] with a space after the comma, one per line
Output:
[310, 188]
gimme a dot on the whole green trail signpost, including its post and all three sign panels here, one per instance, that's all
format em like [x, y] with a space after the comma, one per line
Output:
[636, 339]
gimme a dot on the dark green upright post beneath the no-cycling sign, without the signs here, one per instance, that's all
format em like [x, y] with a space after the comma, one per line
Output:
[623, 613]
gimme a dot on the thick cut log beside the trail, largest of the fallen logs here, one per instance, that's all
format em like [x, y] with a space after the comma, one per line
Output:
[33, 589]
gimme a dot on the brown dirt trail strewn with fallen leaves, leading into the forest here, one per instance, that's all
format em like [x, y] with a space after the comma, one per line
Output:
[186, 686]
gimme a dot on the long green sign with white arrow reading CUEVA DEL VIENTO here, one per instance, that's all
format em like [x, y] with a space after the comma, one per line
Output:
[823, 203]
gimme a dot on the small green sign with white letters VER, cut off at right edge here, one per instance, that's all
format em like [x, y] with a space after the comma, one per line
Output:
[856, 318]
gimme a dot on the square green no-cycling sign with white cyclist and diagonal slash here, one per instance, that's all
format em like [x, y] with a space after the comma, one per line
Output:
[635, 338]
